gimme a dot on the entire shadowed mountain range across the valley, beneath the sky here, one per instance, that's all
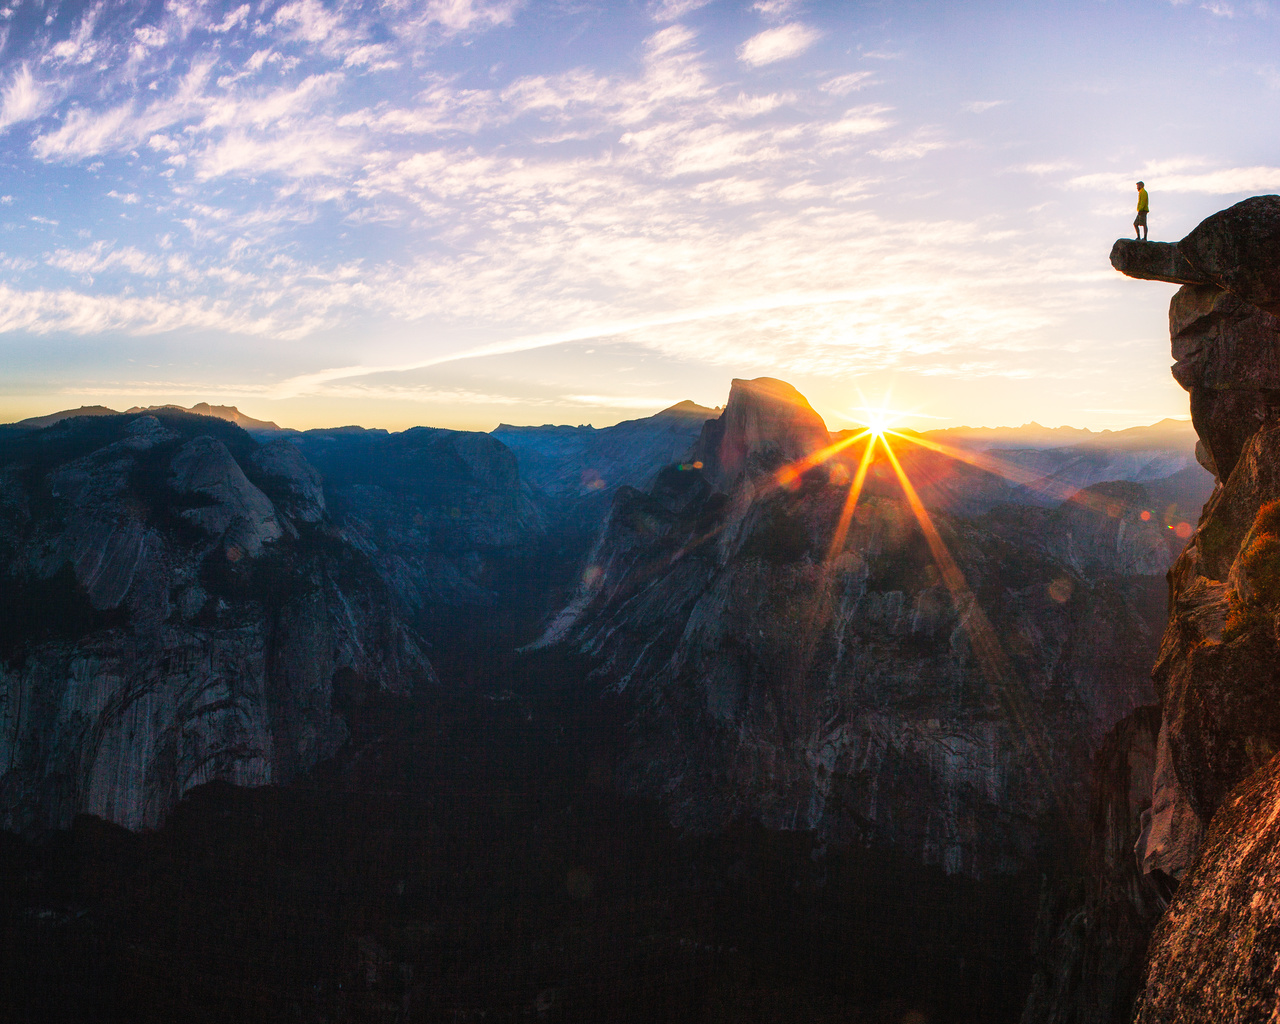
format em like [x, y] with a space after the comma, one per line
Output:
[198, 597]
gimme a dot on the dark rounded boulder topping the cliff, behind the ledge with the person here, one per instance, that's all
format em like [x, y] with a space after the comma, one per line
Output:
[1238, 249]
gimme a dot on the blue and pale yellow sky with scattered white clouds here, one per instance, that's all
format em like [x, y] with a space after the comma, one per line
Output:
[461, 213]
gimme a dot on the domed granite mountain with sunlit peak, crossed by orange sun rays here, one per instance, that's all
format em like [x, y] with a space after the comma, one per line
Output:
[811, 683]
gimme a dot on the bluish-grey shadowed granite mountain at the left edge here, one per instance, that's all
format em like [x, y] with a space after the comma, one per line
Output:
[176, 610]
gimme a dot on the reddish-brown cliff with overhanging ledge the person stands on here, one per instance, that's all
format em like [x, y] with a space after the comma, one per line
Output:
[1214, 956]
